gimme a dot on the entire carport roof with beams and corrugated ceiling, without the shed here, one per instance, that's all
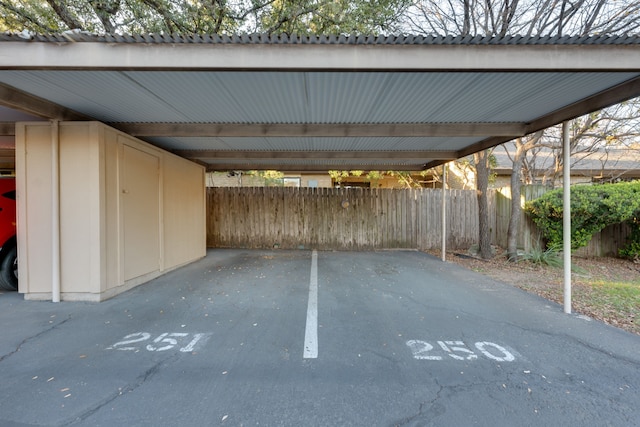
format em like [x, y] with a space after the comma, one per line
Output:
[317, 102]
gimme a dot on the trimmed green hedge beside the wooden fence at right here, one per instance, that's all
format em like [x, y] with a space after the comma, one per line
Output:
[593, 207]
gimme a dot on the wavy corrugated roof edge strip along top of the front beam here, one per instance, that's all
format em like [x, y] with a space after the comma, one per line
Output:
[313, 39]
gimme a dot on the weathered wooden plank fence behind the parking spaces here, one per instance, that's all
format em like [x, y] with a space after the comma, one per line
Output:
[364, 219]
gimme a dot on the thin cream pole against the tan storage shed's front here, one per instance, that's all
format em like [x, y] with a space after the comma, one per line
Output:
[55, 211]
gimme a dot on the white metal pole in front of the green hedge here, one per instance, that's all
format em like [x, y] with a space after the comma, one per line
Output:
[566, 216]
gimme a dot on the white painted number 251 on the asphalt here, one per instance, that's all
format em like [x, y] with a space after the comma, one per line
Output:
[163, 342]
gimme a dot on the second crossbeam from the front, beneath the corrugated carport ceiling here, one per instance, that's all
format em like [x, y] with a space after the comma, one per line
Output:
[321, 130]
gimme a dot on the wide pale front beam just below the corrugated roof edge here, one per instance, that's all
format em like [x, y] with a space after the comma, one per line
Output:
[409, 57]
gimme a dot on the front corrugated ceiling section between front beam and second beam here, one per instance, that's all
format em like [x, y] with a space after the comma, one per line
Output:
[311, 97]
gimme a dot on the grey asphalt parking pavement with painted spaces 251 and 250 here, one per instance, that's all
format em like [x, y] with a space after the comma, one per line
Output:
[242, 338]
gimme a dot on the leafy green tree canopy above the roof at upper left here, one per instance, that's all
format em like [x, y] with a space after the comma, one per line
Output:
[202, 16]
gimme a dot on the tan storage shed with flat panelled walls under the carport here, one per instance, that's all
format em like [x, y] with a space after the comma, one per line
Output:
[129, 211]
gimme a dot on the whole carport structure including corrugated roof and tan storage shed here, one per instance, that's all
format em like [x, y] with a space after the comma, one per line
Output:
[310, 103]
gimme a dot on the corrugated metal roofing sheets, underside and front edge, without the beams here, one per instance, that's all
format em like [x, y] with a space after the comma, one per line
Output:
[456, 99]
